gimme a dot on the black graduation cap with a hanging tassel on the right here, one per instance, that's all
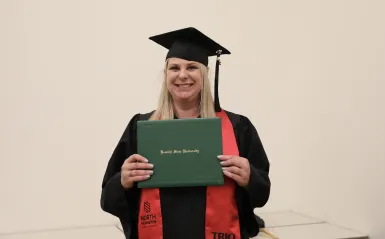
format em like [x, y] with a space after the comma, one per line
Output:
[192, 45]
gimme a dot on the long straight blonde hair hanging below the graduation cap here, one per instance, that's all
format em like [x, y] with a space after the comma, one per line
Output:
[165, 102]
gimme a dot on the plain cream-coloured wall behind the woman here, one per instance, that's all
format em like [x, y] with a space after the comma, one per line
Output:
[310, 75]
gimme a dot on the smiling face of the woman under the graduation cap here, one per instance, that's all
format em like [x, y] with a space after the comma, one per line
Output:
[184, 79]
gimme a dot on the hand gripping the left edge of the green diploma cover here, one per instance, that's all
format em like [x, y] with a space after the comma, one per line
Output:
[135, 168]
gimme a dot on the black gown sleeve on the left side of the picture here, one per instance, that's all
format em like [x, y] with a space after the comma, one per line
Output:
[114, 198]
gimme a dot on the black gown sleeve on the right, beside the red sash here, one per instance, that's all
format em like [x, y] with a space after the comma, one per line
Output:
[258, 188]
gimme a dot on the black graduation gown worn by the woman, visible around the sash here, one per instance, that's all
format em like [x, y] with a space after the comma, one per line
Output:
[183, 209]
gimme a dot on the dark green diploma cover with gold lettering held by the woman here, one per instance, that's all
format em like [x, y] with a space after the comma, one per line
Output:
[184, 152]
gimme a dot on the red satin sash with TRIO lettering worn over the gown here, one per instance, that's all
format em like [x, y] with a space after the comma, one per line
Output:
[221, 222]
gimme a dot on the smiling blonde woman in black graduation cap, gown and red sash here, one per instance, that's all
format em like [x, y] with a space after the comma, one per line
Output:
[191, 212]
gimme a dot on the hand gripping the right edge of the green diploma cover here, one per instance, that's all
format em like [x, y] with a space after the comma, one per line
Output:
[237, 168]
